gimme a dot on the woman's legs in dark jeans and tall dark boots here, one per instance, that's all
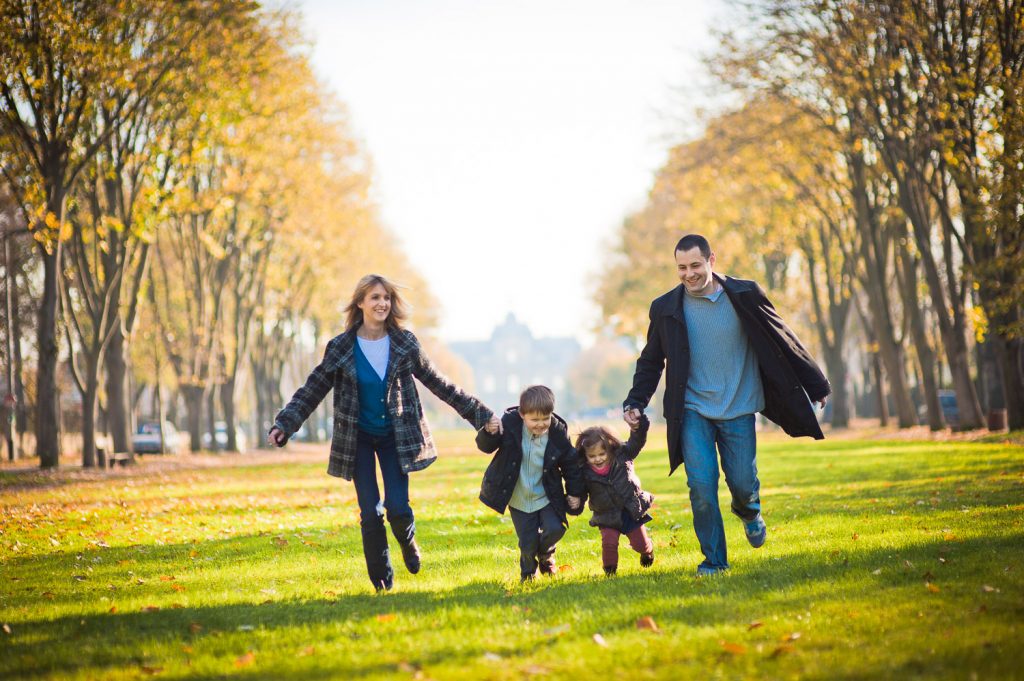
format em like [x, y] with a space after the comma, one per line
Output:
[369, 451]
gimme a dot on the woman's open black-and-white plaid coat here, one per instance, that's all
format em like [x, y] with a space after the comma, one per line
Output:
[412, 436]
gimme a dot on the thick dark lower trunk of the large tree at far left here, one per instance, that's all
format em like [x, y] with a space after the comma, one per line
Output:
[48, 398]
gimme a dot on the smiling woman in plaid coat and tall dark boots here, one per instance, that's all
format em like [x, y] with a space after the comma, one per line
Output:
[377, 411]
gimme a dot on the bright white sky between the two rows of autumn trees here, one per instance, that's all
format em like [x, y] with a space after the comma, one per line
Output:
[510, 140]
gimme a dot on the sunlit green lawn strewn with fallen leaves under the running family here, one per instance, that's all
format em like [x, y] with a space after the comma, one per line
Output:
[884, 561]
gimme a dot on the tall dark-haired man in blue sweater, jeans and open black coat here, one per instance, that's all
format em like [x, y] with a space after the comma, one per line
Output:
[728, 355]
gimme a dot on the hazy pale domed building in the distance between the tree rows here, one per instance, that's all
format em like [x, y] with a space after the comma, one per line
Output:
[514, 360]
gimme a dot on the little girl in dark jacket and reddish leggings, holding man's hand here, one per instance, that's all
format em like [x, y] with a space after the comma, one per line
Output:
[619, 504]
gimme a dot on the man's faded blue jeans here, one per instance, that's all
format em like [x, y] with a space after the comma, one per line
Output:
[738, 449]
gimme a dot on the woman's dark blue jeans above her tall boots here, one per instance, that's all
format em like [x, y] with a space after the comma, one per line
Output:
[396, 482]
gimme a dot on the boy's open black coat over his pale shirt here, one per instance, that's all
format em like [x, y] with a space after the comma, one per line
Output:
[503, 473]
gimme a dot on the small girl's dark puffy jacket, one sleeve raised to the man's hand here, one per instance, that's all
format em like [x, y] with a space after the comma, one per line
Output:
[621, 488]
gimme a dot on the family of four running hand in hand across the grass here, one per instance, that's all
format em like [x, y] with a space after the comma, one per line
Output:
[727, 355]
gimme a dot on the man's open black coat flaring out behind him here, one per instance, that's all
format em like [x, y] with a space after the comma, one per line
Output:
[790, 377]
